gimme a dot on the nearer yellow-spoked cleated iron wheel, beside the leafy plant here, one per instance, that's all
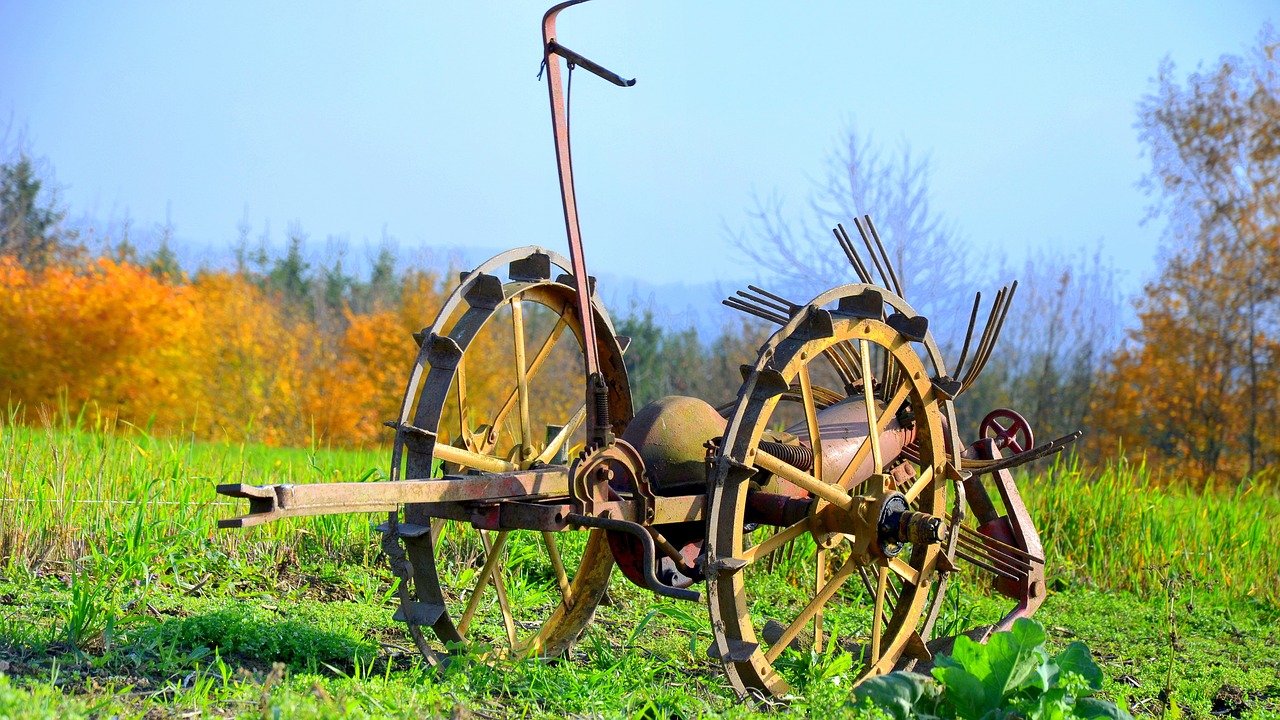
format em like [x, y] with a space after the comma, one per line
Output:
[853, 573]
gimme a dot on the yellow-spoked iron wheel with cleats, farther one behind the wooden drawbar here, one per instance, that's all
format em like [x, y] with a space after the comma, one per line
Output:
[497, 388]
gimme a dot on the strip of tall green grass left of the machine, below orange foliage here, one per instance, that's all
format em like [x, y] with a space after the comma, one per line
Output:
[129, 502]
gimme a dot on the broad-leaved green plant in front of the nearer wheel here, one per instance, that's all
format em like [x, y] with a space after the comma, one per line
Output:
[1012, 676]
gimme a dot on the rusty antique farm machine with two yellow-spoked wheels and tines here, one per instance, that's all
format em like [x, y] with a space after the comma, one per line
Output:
[828, 508]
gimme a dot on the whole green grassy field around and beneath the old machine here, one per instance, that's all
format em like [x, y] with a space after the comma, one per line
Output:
[118, 598]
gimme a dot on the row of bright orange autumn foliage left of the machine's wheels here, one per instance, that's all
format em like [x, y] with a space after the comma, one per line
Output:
[217, 356]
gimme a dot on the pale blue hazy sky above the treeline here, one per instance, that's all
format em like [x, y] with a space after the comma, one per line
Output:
[427, 122]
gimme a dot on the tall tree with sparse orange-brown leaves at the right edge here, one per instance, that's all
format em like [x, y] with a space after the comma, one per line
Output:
[1199, 377]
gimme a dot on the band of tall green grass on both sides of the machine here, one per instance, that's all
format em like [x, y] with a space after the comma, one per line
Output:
[132, 505]
